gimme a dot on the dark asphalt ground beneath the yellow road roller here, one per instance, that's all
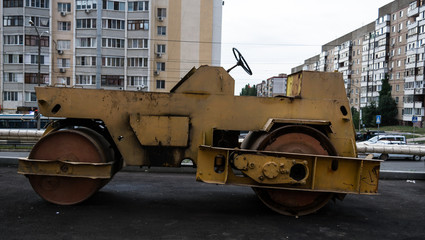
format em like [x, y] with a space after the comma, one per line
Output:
[146, 205]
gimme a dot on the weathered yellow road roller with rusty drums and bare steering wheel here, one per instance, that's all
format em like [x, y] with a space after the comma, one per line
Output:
[300, 151]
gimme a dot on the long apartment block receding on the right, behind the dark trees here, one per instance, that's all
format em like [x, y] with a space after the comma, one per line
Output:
[393, 47]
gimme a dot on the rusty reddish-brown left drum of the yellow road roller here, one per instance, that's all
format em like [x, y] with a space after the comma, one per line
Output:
[74, 145]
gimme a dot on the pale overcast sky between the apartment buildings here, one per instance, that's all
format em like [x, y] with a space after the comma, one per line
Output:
[277, 35]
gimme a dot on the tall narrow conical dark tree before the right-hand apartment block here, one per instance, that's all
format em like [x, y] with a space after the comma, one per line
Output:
[387, 106]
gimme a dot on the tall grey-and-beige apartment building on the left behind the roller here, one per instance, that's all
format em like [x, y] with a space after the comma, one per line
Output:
[108, 44]
